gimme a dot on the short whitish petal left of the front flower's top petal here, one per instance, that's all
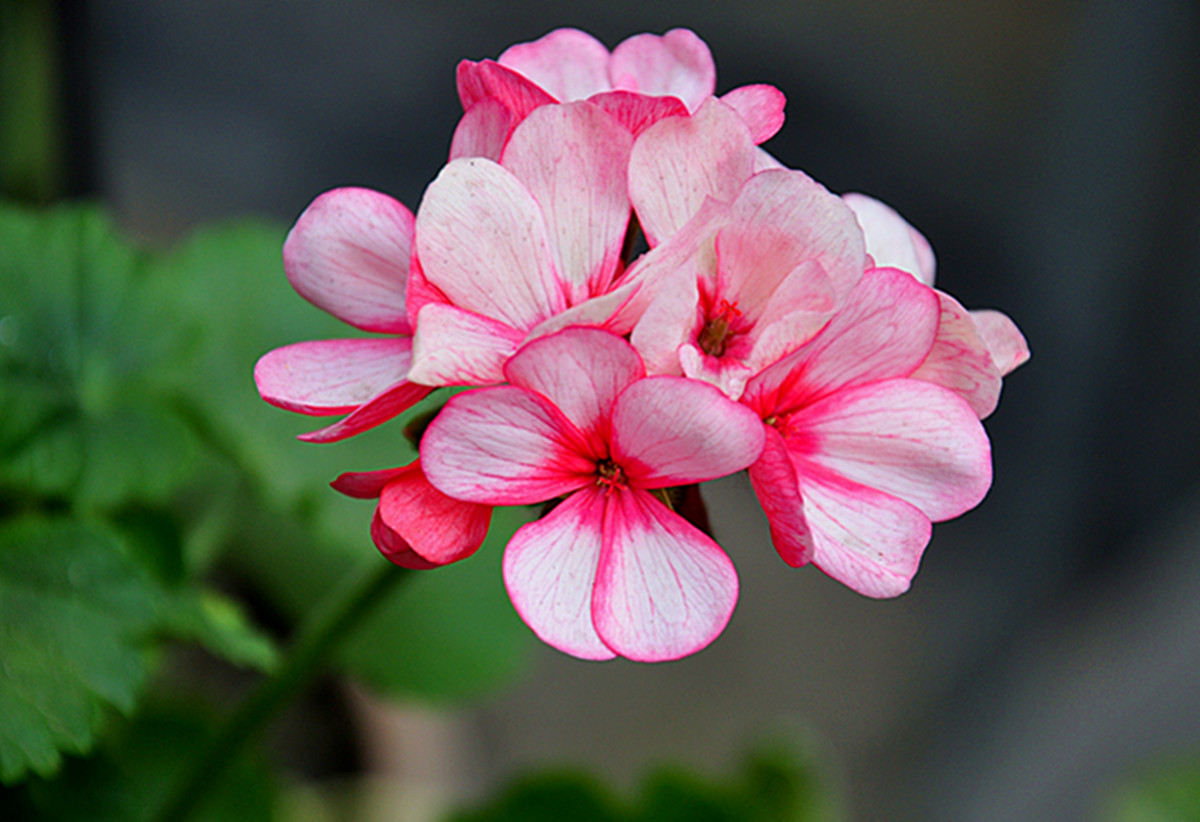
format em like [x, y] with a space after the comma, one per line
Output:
[457, 347]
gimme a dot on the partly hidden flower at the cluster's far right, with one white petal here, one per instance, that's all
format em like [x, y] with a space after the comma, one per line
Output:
[974, 350]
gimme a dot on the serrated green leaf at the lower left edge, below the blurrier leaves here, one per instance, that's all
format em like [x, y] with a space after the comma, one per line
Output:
[75, 611]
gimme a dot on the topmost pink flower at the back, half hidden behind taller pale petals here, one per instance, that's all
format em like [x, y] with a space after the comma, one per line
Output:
[646, 79]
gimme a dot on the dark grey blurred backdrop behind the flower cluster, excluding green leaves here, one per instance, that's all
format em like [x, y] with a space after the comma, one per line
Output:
[1049, 152]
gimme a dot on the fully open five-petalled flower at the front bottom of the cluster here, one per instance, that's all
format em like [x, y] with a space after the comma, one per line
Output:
[611, 571]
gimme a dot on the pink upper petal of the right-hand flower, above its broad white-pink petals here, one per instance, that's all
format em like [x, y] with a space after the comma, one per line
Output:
[885, 331]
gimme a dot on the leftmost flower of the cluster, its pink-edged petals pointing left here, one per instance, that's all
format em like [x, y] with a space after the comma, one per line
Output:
[349, 254]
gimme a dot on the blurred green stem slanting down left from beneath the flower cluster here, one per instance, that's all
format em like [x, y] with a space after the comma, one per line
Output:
[335, 617]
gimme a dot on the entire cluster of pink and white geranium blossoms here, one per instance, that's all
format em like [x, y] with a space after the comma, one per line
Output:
[771, 326]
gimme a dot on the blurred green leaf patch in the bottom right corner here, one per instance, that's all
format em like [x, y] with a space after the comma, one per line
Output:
[1169, 793]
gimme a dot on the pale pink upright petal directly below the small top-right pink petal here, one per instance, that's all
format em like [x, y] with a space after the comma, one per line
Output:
[679, 163]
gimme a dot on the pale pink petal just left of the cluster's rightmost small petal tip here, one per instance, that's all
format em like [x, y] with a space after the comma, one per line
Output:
[961, 362]
